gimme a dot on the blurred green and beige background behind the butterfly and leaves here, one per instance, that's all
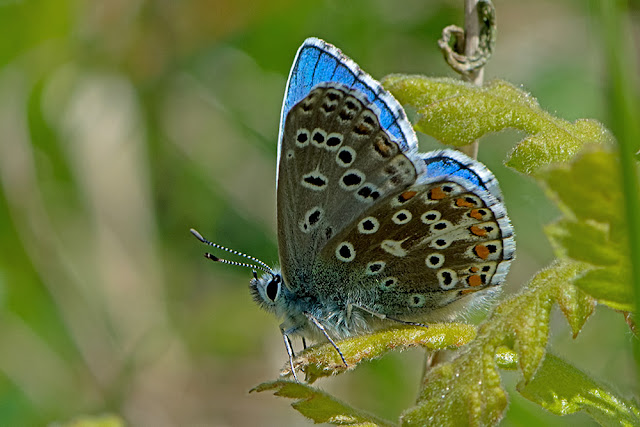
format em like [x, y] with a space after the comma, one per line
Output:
[125, 123]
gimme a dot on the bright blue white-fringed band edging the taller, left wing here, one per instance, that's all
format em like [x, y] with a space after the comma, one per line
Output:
[317, 62]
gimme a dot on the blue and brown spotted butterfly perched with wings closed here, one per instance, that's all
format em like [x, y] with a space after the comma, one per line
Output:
[369, 229]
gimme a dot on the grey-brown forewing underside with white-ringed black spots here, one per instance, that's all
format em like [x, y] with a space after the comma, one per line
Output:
[335, 163]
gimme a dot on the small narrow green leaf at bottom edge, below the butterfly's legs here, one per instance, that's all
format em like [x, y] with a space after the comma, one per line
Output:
[320, 406]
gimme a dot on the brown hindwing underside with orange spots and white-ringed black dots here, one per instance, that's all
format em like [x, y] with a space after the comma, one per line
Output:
[425, 247]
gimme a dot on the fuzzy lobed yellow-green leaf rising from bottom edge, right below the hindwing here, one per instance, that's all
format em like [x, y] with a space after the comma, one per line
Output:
[467, 390]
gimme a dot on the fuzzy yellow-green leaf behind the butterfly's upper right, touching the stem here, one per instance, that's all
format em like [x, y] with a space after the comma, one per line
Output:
[458, 113]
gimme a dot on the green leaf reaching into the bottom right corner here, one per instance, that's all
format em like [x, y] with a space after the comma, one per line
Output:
[562, 389]
